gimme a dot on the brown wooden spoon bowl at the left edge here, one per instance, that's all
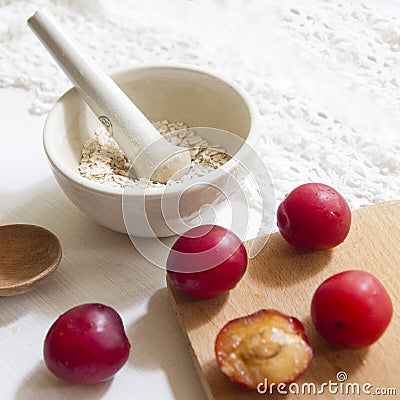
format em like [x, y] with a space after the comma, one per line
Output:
[28, 255]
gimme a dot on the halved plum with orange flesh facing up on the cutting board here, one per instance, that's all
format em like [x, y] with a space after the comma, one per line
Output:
[267, 346]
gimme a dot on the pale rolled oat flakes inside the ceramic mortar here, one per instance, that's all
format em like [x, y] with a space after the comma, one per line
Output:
[104, 162]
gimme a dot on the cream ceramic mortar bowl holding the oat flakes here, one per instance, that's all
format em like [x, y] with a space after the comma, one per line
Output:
[175, 93]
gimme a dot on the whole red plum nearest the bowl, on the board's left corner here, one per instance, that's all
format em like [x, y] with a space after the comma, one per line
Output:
[206, 261]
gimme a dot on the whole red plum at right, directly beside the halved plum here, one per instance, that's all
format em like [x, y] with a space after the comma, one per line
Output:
[351, 309]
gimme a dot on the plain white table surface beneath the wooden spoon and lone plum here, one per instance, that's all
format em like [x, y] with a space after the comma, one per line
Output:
[98, 265]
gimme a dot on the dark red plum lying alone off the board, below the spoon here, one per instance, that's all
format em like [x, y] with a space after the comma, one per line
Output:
[86, 345]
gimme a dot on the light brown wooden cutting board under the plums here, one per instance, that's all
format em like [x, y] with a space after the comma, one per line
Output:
[284, 278]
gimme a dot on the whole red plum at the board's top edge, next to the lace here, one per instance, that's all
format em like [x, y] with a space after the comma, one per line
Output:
[314, 216]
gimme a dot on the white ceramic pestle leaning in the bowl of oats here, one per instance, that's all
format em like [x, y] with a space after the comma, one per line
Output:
[130, 128]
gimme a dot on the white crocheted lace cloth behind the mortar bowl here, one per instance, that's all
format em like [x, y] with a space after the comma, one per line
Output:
[324, 74]
